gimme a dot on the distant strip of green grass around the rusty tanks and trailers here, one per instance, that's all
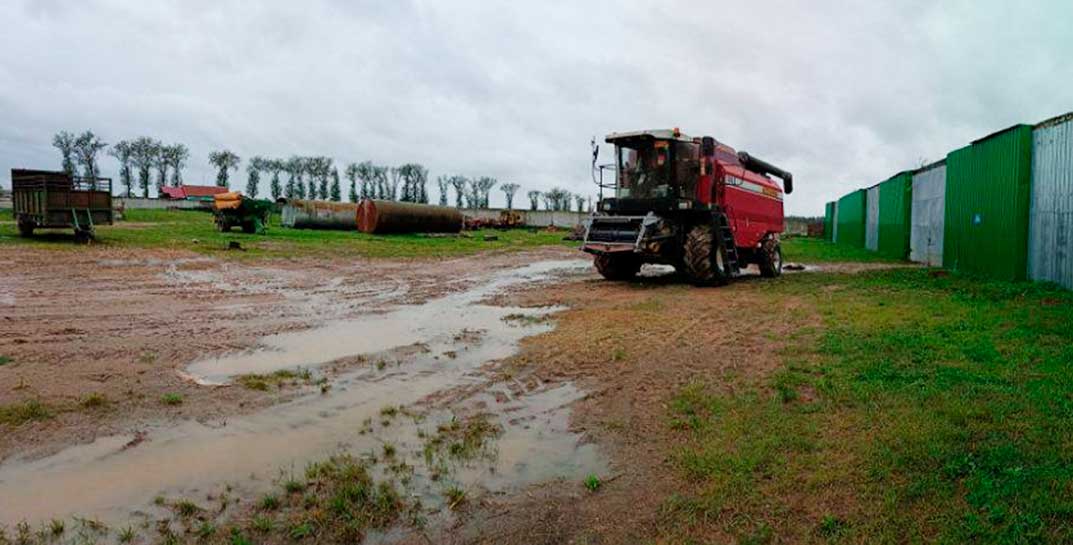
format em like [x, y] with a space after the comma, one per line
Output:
[194, 230]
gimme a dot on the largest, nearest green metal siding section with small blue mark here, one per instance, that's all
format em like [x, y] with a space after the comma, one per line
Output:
[988, 202]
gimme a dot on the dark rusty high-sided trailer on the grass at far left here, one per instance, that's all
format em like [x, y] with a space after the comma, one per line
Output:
[57, 200]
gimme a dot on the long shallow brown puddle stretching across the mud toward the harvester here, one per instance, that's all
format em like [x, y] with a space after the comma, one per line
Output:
[116, 479]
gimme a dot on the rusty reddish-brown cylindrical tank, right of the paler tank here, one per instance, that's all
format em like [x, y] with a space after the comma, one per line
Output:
[381, 217]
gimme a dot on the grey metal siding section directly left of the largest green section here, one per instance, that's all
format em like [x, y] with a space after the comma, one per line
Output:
[928, 214]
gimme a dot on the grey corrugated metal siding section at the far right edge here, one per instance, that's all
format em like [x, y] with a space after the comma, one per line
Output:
[1051, 216]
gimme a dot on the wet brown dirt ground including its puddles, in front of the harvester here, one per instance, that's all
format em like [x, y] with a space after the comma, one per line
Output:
[156, 372]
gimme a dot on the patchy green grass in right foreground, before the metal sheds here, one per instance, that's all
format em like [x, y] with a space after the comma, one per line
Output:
[920, 409]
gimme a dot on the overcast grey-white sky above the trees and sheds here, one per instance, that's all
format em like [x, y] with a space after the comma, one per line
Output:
[842, 94]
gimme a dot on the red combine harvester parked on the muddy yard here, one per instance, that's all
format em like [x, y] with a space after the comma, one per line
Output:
[688, 202]
